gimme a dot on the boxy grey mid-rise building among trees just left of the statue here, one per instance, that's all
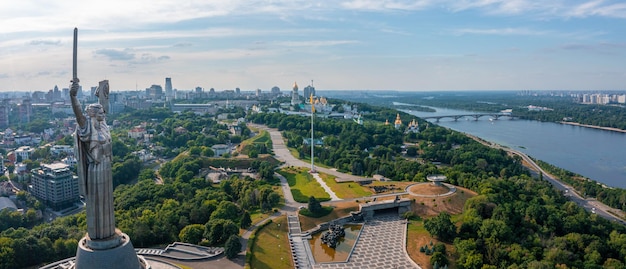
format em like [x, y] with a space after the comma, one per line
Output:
[55, 185]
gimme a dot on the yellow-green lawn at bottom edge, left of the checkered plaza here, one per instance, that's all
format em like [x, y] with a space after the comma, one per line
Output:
[271, 248]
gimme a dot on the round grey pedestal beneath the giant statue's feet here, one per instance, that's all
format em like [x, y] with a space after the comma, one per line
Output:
[116, 252]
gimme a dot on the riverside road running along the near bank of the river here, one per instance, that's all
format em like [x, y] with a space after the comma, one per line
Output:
[590, 204]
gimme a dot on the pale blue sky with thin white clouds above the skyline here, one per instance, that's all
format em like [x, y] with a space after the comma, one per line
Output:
[350, 45]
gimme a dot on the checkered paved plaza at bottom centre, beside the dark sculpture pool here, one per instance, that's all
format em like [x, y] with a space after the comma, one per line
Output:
[381, 245]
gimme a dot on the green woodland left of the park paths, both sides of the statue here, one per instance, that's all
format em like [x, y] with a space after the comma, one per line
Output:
[185, 207]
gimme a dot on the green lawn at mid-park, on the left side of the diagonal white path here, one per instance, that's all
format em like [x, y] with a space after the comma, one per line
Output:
[303, 185]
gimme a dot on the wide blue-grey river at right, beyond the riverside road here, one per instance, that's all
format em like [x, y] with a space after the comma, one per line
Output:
[597, 154]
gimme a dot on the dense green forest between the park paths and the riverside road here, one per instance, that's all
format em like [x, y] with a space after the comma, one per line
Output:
[516, 221]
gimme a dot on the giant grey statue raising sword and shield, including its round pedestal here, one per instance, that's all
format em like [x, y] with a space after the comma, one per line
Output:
[103, 246]
